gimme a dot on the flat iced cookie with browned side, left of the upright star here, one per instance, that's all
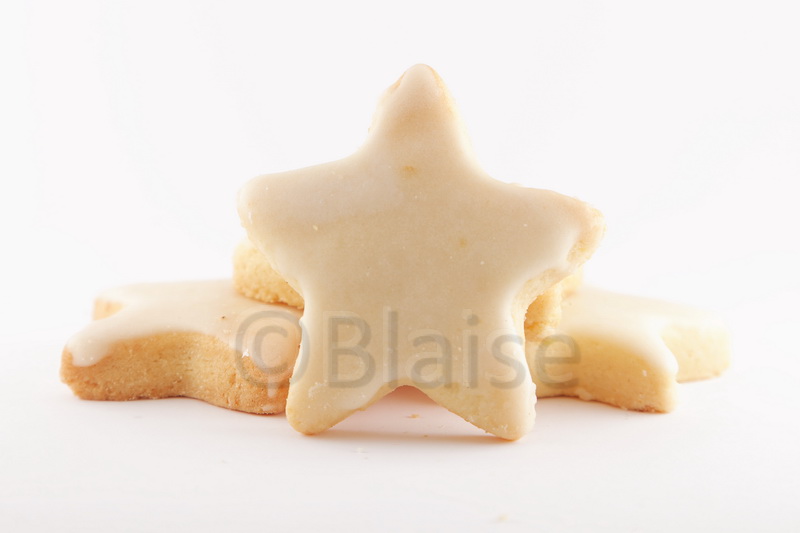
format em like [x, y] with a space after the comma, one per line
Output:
[196, 339]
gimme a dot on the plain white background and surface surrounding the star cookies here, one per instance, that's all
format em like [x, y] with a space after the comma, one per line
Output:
[126, 129]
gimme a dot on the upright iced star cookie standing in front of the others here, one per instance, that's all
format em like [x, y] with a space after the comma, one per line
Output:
[415, 267]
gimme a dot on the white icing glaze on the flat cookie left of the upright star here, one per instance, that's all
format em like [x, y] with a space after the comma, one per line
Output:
[207, 307]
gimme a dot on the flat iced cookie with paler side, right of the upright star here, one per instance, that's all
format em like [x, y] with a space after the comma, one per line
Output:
[627, 351]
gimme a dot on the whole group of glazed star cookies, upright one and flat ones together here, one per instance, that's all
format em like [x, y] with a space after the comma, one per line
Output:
[409, 267]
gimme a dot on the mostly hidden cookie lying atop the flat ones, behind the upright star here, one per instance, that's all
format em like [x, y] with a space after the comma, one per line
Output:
[255, 278]
